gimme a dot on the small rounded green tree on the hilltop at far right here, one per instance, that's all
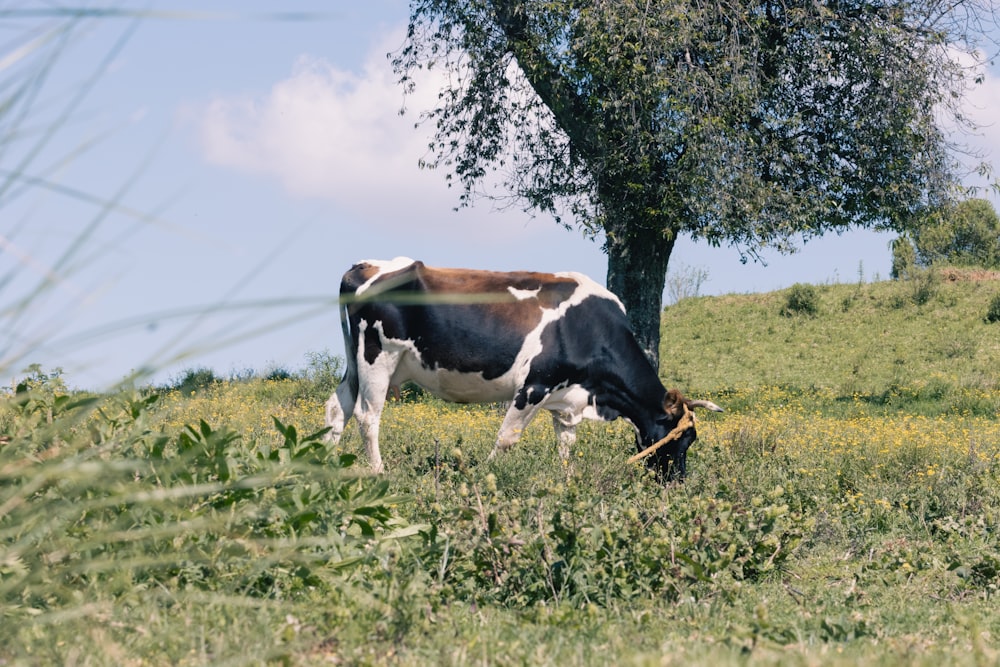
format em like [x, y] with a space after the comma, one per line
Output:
[966, 234]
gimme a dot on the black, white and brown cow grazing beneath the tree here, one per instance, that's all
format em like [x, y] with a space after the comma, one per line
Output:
[536, 340]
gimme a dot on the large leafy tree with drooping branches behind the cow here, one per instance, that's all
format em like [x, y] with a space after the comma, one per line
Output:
[747, 122]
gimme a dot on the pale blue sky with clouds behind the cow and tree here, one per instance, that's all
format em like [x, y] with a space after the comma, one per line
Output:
[184, 190]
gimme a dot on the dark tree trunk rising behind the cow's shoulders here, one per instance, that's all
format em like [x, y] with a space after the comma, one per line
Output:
[637, 271]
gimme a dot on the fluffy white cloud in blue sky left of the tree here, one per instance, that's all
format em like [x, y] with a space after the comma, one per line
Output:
[334, 134]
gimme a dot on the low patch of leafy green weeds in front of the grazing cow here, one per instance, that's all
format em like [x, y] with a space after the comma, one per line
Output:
[567, 543]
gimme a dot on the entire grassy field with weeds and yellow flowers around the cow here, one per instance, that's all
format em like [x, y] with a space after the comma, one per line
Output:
[844, 510]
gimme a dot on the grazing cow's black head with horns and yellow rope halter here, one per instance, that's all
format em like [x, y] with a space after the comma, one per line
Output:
[672, 435]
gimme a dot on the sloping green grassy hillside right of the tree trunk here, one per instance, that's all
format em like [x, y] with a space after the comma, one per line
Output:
[863, 339]
